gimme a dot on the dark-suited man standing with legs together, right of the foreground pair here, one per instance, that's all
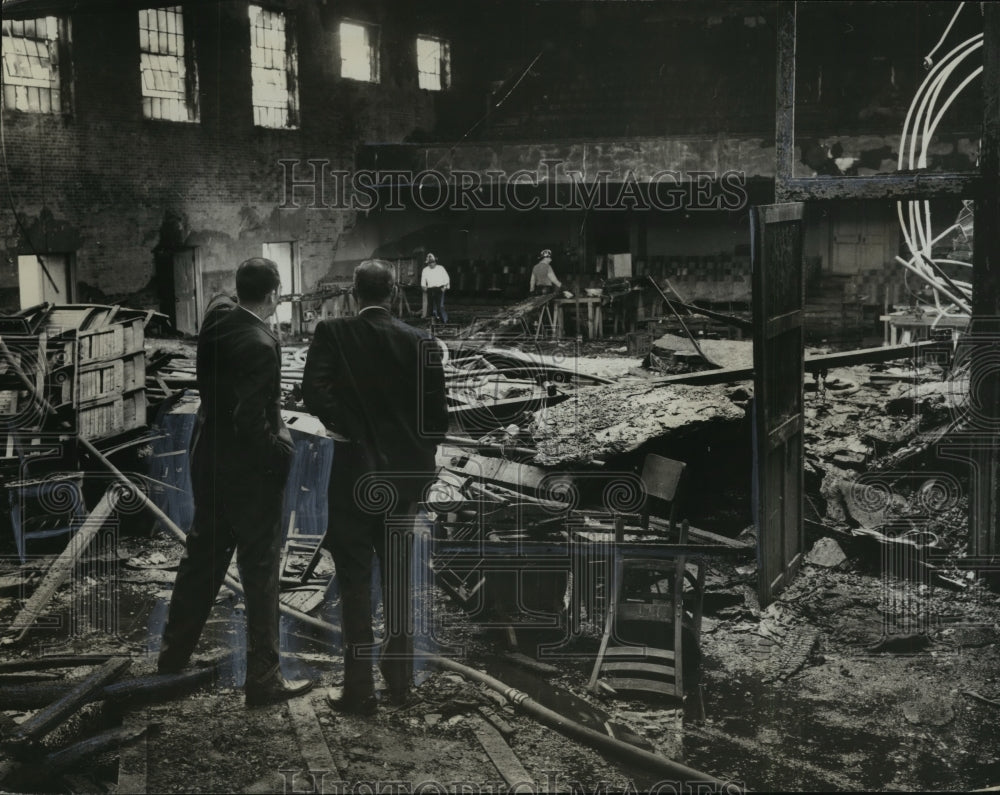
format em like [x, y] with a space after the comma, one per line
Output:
[378, 385]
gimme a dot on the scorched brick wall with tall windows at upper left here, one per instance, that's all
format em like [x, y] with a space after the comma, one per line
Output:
[109, 186]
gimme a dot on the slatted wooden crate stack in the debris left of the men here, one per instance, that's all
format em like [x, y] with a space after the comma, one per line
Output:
[97, 367]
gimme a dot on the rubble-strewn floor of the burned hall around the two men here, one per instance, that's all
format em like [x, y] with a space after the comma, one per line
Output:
[874, 670]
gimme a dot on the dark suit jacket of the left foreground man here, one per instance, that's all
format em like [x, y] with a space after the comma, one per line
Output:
[240, 447]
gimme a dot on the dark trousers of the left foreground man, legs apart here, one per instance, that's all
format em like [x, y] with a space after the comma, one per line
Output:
[217, 531]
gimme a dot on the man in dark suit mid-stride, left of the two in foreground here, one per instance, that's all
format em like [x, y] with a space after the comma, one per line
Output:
[241, 453]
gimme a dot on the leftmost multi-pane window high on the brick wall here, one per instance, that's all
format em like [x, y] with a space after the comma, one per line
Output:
[31, 65]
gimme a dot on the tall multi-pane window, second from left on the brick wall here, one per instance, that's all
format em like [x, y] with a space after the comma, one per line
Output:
[169, 76]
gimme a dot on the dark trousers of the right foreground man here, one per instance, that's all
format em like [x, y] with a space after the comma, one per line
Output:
[353, 536]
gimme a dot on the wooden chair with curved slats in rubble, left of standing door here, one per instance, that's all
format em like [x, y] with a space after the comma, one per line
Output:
[623, 664]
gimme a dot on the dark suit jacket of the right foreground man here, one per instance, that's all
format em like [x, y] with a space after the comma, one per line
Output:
[379, 382]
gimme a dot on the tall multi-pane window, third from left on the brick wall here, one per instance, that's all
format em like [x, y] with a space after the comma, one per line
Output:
[272, 67]
